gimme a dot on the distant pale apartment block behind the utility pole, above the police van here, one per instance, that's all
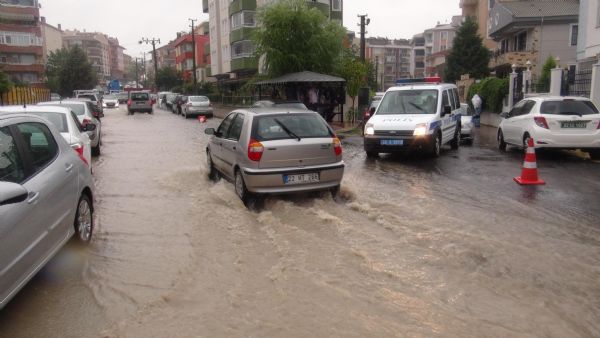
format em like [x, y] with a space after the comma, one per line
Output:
[392, 59]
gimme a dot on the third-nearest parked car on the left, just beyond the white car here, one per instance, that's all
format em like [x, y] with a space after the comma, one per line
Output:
[84, 110]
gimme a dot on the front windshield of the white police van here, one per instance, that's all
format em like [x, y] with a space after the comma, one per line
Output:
[413, 101]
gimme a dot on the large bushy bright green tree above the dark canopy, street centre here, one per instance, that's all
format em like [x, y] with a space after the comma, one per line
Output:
[293, 37]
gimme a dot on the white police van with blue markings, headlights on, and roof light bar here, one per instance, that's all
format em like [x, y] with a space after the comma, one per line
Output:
[422, 114]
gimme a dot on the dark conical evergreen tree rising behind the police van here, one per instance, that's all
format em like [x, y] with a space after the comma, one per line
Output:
[468, 55]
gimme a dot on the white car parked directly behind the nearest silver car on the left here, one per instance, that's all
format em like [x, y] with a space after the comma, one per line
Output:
[67, 124]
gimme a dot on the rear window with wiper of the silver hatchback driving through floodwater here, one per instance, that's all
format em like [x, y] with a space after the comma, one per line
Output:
[273, 127]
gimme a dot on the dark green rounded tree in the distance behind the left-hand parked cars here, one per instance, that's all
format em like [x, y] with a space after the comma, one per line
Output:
[69, 69]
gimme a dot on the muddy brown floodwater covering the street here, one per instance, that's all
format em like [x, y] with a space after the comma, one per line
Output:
[417, 247]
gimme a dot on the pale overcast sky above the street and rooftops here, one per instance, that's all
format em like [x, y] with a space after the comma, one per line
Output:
[130, 20]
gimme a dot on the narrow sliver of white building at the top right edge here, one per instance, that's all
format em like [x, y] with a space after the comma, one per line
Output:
[588, 41]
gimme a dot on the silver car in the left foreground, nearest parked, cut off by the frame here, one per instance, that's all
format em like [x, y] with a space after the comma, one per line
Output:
[46, 197]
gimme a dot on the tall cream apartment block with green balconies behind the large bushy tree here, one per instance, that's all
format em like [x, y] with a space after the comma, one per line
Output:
[231, 23]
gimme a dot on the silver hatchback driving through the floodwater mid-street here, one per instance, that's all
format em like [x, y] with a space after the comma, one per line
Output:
[275, 150]
